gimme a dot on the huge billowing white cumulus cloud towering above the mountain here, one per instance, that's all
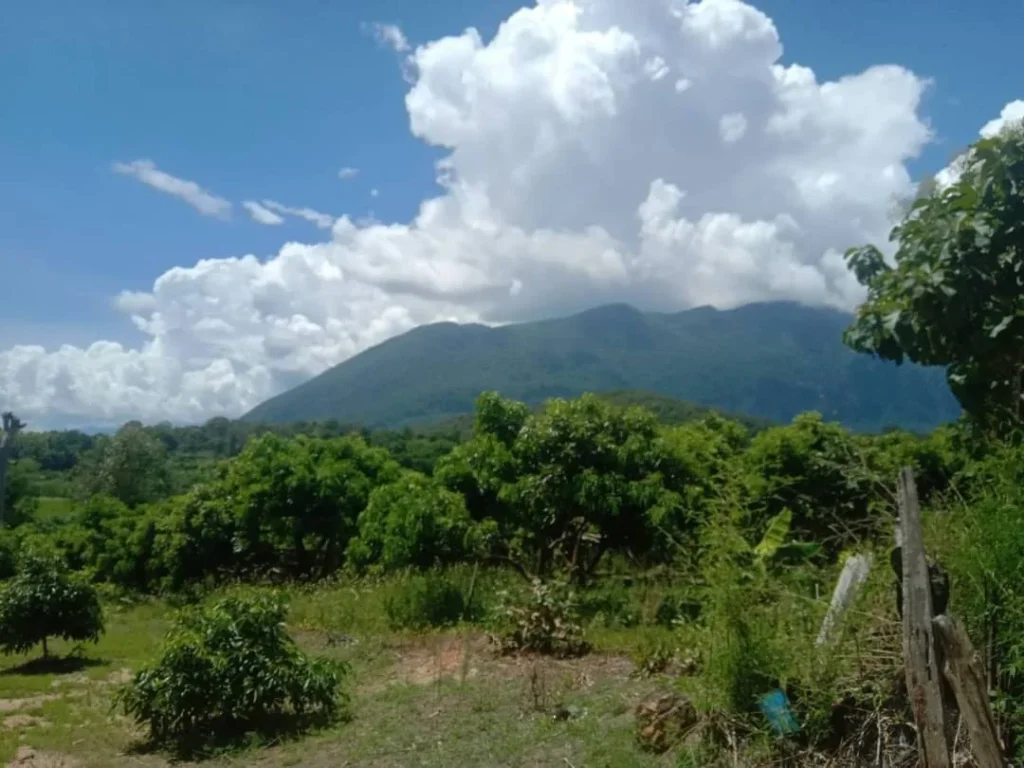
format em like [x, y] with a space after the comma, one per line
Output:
[655, 152]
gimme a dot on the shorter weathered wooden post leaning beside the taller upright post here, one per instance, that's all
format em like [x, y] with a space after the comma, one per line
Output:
[966, 674]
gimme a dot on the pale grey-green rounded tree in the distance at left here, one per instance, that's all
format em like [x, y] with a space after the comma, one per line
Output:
[132, 466]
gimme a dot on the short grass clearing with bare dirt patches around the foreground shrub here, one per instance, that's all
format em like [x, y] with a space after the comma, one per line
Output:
[441, 699]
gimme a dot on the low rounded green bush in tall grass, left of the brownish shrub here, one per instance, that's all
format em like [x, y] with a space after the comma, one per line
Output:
[417, 602]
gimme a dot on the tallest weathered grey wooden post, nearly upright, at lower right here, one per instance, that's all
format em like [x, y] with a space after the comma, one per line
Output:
[919, 644]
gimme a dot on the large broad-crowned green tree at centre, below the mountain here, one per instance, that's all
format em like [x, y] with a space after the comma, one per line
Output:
[567, 485]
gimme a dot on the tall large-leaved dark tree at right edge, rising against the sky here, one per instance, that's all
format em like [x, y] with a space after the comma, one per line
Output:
[955, 293]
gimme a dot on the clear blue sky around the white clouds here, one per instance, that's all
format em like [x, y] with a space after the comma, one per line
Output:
[268, 101]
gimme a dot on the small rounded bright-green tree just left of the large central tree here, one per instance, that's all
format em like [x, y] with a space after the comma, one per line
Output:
[413, 523]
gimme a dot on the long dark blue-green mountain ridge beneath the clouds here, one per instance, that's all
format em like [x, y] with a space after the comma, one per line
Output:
[772, 361]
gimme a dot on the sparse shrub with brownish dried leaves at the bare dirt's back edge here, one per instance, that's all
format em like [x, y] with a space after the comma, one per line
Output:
[546, 620]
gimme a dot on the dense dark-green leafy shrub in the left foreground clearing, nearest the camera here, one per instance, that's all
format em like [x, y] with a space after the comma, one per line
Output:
[228, 669]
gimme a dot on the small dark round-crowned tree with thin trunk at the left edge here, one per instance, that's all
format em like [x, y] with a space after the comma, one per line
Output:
[45, 602]
